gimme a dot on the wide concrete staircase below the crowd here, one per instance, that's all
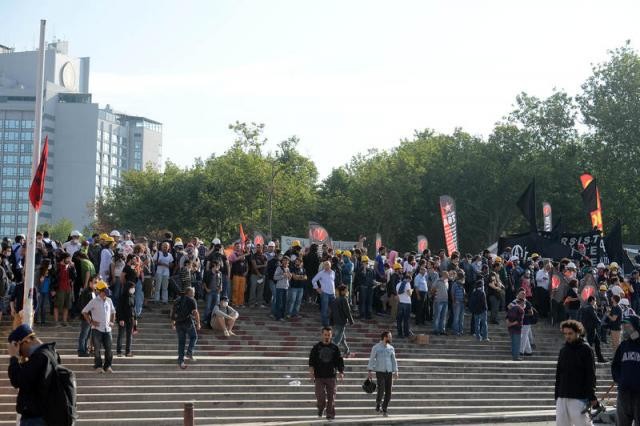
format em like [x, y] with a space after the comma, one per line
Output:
[260, 376]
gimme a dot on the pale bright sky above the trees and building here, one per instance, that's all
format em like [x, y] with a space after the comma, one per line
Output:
[343, 76]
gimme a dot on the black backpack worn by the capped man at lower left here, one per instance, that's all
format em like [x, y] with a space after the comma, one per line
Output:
[60, 393]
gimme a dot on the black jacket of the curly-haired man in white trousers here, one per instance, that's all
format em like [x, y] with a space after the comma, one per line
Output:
[576, 372]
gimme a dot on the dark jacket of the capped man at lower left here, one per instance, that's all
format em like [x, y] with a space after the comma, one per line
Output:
[29, 378]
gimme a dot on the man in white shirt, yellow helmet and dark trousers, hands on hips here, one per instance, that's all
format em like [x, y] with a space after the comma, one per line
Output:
[101, 314]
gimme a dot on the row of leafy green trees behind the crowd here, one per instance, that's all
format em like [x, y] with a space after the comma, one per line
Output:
[396, 192]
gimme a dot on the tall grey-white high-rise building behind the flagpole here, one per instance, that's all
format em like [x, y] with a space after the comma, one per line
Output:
[89, 147]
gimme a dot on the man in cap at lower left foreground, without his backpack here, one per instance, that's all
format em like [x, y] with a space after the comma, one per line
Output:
[28, 376]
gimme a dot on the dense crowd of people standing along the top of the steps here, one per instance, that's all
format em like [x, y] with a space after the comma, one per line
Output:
[110, 279]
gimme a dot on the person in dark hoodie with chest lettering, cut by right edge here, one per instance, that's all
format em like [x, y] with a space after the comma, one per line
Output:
[625, 370]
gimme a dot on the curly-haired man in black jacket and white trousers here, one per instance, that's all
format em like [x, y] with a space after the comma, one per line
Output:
[575, 377]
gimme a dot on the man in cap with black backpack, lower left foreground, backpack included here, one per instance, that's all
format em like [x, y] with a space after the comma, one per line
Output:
[46, 390]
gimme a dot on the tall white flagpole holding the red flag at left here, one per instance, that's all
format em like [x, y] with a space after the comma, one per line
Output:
[32, 224]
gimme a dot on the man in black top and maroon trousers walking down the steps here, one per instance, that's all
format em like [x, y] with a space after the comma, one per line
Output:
[324, 360]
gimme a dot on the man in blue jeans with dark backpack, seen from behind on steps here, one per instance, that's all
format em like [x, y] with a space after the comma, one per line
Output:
[186, 322]
